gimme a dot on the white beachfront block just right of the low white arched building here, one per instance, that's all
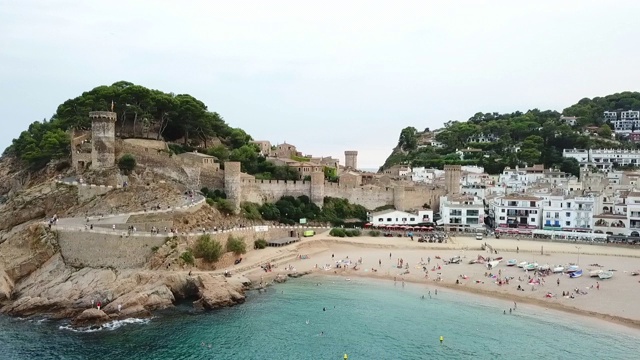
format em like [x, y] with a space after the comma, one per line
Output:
[461, 211]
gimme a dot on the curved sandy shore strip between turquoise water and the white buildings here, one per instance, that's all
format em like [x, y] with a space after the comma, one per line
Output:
[586, 306]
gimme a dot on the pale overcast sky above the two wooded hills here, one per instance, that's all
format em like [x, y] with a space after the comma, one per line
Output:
[326, 76]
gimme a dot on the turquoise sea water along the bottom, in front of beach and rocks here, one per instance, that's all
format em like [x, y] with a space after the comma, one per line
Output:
[363, 318]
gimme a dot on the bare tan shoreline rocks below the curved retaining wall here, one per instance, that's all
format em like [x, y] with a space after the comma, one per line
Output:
[59, 291]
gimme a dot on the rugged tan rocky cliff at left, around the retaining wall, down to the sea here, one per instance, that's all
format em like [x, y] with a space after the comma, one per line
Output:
[35, 279]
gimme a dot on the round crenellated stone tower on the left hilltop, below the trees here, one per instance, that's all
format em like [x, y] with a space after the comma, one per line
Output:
[103, 139]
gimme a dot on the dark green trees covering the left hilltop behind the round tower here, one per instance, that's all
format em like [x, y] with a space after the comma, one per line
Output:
[143, 112]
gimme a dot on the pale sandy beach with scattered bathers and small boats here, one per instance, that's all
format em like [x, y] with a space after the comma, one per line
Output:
[614, 300]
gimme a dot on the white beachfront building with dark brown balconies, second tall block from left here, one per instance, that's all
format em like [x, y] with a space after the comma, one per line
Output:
[516, 211]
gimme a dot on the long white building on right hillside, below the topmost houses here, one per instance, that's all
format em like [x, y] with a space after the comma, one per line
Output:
[603, 159]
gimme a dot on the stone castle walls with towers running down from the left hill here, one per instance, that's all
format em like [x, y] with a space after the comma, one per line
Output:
[99, 149]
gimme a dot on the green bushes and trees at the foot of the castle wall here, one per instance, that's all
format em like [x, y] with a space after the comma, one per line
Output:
[289, 210]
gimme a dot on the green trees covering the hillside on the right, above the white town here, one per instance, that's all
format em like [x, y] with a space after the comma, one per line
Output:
[534, 137]
